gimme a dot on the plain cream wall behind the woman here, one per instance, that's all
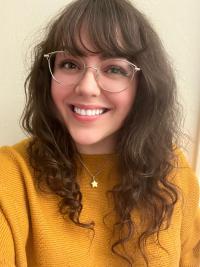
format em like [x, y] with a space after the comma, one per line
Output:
[177, 23]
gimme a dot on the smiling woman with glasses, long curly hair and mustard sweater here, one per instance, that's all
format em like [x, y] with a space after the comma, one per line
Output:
[100, 181]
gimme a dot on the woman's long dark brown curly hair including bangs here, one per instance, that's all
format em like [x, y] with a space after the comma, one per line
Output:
[145, 141]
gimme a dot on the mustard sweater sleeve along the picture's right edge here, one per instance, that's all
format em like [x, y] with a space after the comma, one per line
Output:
[190, 229]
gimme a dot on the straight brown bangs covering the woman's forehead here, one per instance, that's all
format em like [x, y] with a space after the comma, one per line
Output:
[110, 27]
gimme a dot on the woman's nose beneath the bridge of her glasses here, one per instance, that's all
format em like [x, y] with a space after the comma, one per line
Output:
[88, 85]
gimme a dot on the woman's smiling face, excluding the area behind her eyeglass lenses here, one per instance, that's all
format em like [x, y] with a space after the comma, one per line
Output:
[92, 134]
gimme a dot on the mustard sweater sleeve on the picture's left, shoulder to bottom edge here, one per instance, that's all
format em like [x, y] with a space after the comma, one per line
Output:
[13, 212]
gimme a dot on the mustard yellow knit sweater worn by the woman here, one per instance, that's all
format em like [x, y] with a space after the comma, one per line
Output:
[33, 233]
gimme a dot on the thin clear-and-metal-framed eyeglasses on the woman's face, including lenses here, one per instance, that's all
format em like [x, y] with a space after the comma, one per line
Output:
[112, 75]
